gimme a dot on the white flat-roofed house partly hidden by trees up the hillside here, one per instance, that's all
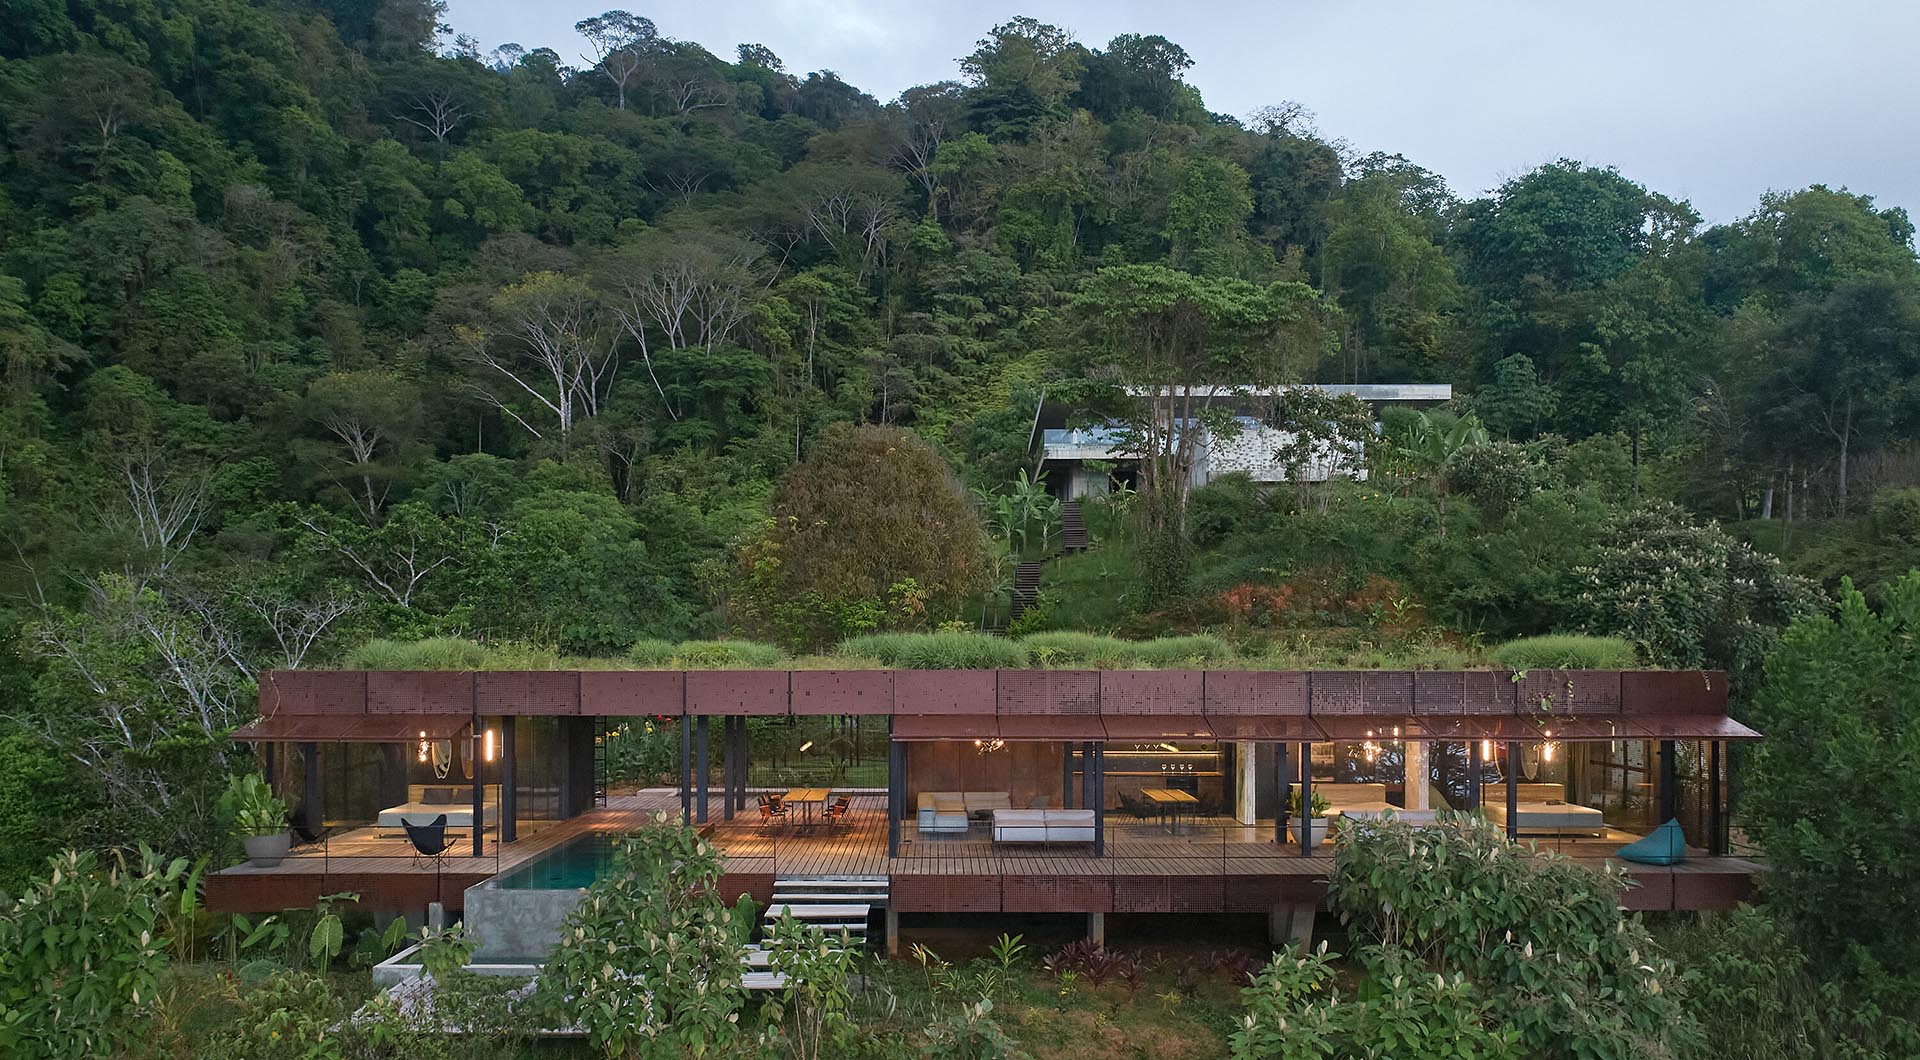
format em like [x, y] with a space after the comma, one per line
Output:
[1088, 460]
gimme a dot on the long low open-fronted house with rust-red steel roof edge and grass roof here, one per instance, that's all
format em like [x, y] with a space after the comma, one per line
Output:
[1072, 792]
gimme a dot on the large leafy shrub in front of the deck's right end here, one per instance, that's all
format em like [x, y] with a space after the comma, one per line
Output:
[1541, 936]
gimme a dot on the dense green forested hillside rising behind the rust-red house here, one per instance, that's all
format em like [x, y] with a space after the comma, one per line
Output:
[320, 325]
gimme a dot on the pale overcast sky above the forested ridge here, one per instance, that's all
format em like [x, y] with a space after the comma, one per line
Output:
[1708, 101]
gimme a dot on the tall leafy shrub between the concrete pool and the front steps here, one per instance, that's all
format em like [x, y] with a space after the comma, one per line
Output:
[650, 961]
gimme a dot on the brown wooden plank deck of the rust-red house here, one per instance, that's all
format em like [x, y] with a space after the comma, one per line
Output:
[1211, 867]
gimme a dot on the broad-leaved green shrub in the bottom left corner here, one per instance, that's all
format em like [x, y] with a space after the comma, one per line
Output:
[82, 952]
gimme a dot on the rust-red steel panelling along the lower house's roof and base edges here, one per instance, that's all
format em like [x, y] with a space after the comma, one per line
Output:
[1074, 710]
